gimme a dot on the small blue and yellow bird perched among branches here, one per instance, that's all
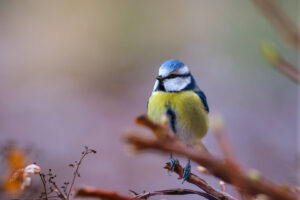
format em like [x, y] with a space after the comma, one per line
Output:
[177, 96]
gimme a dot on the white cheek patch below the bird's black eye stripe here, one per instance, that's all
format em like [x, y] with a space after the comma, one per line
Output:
[176, 84]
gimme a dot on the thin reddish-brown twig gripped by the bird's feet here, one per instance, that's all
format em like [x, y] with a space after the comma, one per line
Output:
[193, 179]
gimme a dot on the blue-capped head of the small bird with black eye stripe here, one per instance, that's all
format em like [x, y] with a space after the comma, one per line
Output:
[174, 76]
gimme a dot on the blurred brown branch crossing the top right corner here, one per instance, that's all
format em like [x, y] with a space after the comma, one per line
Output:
[280, 21]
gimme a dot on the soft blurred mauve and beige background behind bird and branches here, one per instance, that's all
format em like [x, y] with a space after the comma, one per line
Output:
[76, 73]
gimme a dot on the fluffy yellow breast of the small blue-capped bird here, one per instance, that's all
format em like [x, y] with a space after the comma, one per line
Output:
[191, 116]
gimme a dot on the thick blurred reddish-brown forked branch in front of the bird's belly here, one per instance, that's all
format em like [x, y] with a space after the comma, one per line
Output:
[252, 184]
